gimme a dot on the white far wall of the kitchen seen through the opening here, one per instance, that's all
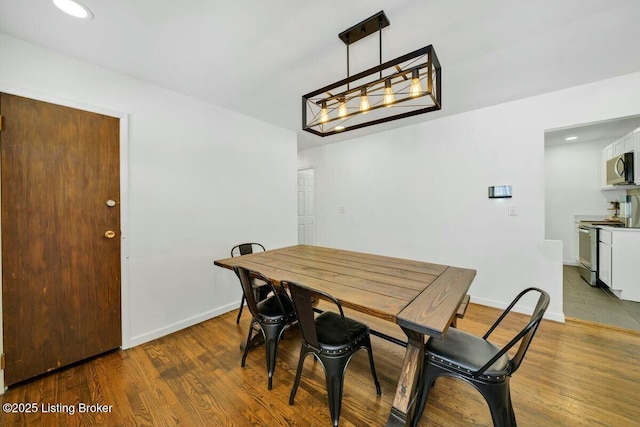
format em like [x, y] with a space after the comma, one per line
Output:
[573, 188]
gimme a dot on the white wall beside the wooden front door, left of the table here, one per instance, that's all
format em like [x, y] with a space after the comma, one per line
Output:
[200, 179]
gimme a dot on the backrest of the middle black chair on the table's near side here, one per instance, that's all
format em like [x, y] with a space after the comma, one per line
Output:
[302, 297]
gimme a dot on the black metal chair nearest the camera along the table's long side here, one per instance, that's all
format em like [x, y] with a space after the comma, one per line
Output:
[332, 339]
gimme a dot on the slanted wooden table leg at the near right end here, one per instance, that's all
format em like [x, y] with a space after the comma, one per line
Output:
[404, 401]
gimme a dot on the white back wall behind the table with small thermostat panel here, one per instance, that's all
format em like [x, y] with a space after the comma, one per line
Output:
[421, 191]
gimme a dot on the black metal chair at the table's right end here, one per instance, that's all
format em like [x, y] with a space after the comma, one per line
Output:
[480, 363]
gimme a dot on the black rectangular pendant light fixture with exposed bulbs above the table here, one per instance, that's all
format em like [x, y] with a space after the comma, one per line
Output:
[403, 87]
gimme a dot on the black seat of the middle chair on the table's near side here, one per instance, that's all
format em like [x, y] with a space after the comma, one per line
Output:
[331, 336]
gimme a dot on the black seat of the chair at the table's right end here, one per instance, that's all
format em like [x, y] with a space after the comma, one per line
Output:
[467, 353]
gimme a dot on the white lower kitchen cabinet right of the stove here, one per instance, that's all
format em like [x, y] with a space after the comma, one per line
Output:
[618, 261]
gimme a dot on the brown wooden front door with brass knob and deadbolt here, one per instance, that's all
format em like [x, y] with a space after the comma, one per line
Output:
[60, 237]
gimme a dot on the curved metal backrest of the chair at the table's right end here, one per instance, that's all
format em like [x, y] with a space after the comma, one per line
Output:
[525, 336]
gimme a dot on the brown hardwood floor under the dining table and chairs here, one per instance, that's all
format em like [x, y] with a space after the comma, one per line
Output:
[574, 375]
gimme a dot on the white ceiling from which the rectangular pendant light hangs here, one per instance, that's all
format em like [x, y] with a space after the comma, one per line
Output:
[259, 57]
